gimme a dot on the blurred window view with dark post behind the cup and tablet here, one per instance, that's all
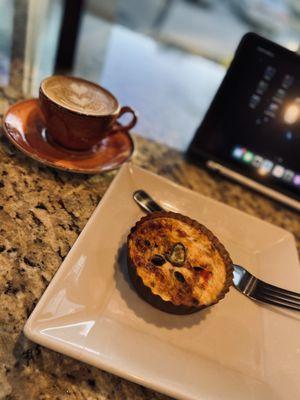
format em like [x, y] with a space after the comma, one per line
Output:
[166, 58]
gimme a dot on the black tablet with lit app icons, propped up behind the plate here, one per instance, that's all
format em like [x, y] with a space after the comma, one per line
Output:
[251, 130]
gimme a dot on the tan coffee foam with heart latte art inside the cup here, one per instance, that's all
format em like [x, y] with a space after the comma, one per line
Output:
[79, 95]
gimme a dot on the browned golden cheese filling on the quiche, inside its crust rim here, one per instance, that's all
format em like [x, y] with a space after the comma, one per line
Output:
[196, 286]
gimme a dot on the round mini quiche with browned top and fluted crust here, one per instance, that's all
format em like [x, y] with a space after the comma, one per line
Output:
[177, 264]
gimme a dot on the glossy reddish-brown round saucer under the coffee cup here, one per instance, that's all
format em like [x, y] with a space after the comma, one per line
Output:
[24, 125]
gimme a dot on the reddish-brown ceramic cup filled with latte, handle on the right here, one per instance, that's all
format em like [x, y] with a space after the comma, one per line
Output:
[79, 113]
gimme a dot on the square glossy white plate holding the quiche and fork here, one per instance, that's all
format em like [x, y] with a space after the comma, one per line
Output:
[237, 349]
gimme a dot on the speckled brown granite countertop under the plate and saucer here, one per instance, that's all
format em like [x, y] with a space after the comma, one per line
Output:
[42, 212]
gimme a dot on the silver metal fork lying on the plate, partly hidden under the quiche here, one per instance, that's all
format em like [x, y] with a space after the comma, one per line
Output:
[243, 281]
